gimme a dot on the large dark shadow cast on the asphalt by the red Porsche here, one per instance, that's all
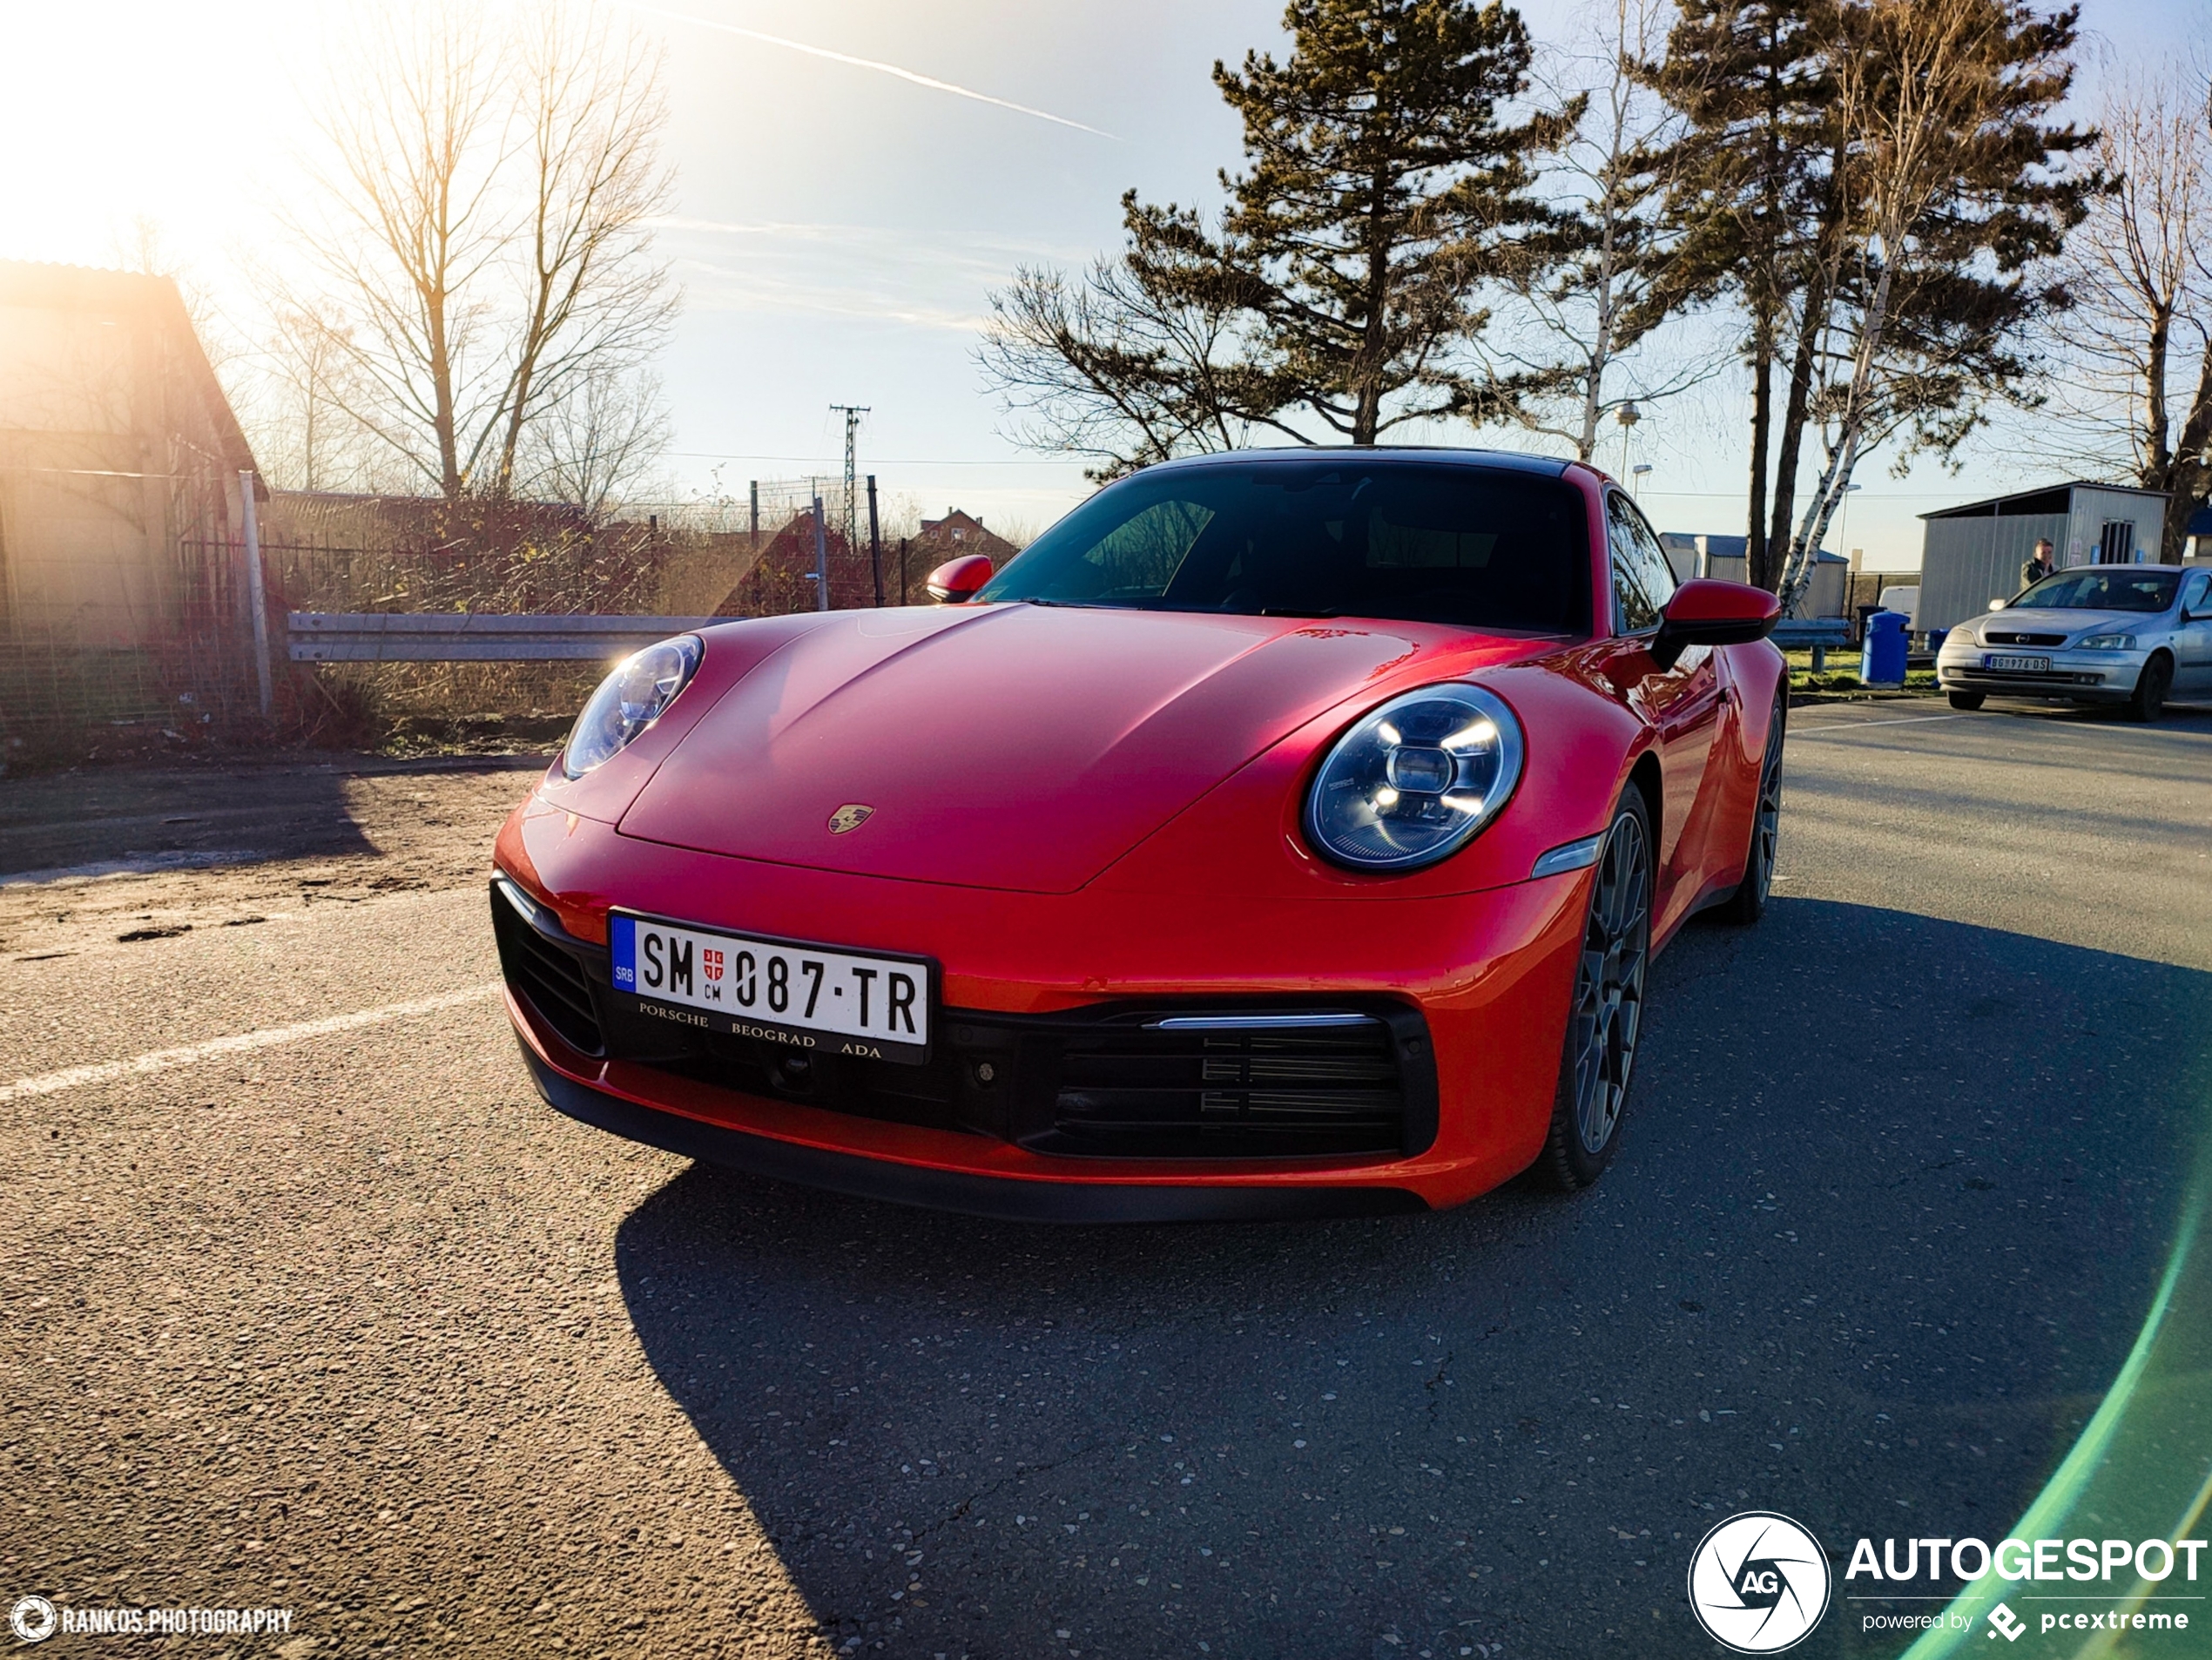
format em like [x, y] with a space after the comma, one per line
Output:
[1886, 1221]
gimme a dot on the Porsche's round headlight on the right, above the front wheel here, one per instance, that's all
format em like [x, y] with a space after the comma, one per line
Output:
[1415, 780]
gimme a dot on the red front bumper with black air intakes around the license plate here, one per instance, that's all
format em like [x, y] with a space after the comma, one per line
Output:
[1468, 1015]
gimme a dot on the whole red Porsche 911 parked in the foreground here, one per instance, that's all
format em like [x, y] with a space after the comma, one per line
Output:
[1284, 833]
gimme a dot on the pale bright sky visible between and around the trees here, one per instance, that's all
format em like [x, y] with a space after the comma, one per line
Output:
[839, 220]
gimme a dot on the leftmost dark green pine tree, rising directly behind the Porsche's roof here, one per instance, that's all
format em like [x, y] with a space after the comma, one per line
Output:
[1384, 189]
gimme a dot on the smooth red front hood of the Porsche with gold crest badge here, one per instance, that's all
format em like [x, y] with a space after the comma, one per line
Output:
[1001, 747]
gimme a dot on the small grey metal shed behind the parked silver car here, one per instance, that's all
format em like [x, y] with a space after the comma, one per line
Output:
[1972, 554]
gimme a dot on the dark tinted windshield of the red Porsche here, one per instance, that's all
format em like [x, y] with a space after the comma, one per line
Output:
[1359, 539]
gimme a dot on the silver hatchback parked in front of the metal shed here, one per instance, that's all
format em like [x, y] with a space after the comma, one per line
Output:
[2100, 634]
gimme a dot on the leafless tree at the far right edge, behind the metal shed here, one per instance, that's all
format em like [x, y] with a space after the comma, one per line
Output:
[2138, 351]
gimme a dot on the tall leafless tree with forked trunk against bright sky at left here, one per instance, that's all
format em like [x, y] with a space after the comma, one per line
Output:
[483, 242]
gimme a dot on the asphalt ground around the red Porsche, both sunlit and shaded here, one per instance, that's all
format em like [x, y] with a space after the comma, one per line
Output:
[348, 1322]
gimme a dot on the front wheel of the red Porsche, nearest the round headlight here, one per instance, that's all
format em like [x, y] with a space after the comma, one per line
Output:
[1605, 1019]
